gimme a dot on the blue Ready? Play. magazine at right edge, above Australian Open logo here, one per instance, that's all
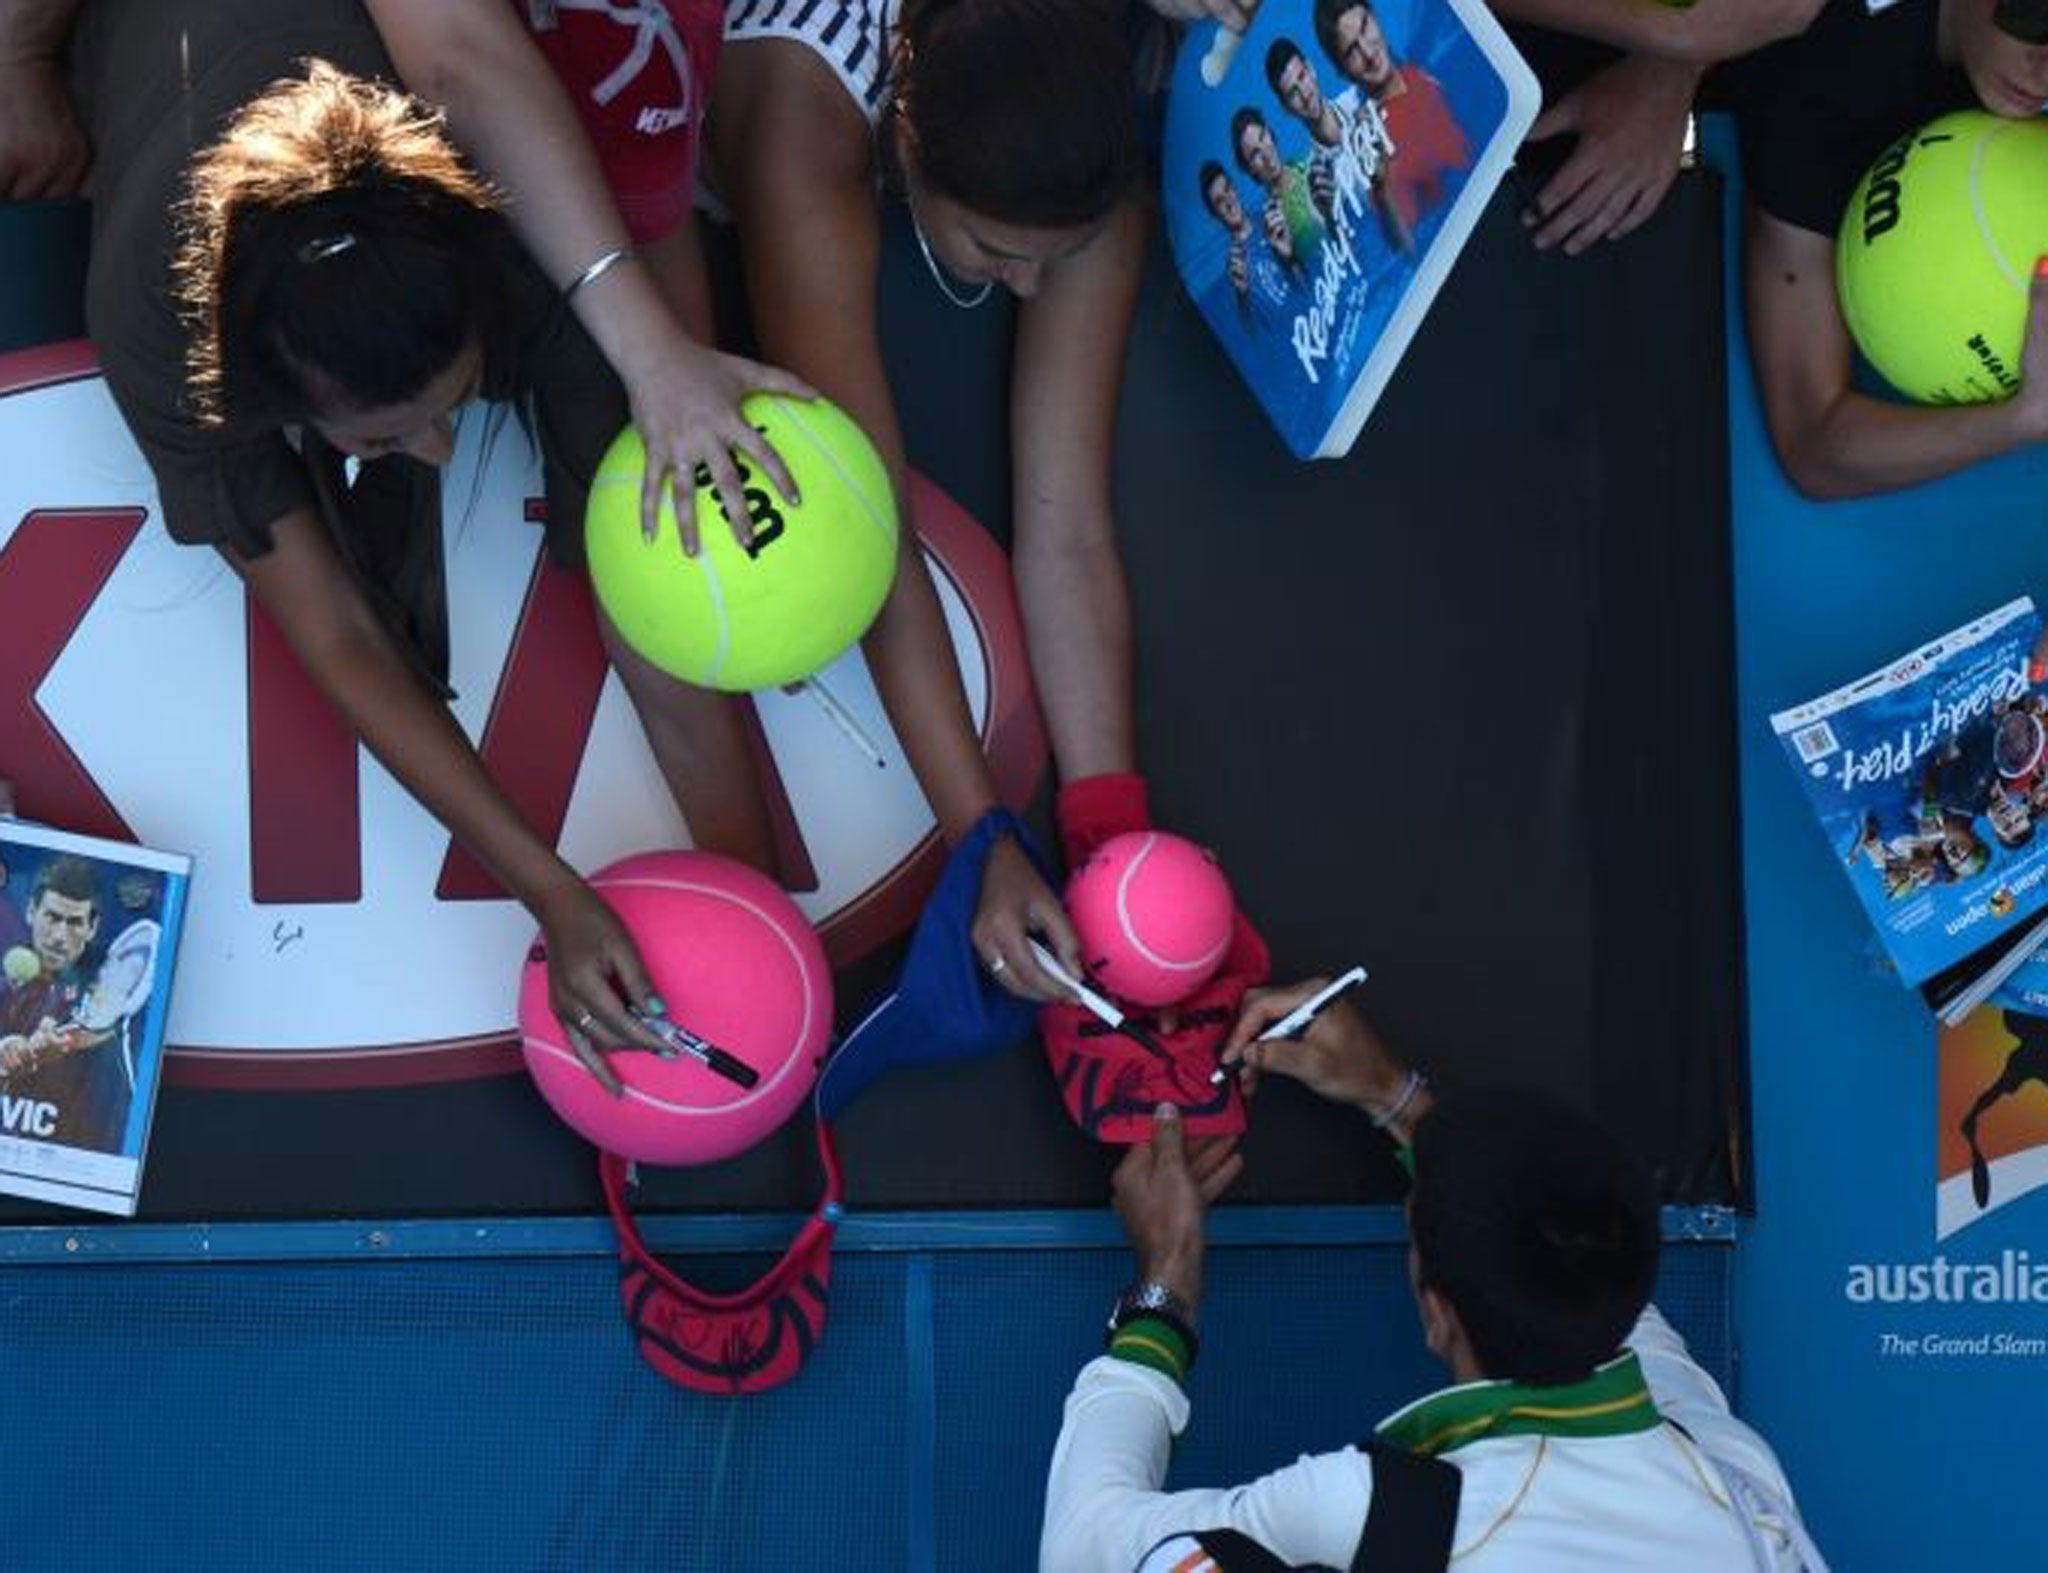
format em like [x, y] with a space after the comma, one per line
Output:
[1930, 779]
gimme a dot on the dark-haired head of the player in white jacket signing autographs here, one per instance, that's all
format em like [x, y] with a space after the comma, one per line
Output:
[1535, 1236]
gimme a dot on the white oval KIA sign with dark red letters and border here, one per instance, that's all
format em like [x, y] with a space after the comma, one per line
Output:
[335, 935]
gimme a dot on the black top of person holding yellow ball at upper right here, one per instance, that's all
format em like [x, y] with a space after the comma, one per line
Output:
[1818, 110]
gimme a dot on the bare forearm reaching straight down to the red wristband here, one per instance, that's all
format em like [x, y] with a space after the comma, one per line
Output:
[1066, 380]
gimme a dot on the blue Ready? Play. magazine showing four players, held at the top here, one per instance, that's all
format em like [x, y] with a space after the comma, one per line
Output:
[1322, 173]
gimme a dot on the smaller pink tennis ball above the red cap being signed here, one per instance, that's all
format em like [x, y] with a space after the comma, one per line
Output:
[1154, 915]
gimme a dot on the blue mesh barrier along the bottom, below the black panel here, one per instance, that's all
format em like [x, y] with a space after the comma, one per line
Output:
[490, 1414]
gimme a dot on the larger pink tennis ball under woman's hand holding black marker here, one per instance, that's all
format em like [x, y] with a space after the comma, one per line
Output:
[738, 966]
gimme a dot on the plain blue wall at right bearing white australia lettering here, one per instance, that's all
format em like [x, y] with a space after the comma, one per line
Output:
[1902, 1459]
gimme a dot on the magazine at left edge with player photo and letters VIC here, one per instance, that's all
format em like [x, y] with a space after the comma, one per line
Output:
[89, 931]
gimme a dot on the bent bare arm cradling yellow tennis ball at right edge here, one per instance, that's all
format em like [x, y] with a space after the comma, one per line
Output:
[1840, 443]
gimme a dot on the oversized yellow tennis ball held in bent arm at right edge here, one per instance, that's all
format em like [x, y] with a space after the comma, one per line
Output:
[1936, 253]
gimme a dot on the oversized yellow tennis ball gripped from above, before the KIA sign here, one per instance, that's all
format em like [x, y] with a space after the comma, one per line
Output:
[779, 609]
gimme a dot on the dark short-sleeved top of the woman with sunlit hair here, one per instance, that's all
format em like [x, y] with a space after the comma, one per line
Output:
[157, 83]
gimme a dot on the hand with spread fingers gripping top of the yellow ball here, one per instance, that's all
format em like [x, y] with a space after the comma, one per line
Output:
[687, 409]
